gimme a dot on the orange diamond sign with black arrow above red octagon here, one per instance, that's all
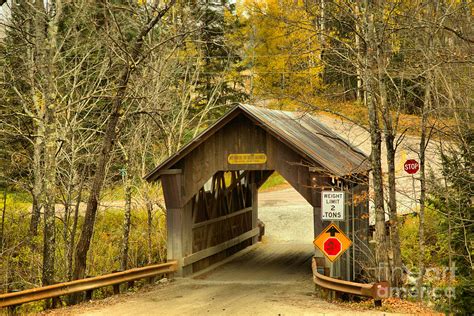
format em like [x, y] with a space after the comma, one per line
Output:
[332, 242]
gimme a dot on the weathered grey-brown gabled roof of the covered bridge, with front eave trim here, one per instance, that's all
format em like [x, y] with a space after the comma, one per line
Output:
[300, 131]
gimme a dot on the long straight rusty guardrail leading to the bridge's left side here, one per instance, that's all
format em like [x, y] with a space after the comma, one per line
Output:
[66, 288]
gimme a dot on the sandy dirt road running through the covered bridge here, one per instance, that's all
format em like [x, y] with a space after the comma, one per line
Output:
[271, 278]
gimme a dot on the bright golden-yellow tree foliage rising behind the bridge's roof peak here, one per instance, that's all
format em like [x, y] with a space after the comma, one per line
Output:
[283, 49]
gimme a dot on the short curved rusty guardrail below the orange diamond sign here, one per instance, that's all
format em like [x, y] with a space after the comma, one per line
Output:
[377, 291]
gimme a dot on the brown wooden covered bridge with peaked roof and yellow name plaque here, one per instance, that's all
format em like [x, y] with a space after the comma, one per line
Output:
[211, 185]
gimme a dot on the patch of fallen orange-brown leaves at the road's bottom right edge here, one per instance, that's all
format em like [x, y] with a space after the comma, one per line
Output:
[393, 305]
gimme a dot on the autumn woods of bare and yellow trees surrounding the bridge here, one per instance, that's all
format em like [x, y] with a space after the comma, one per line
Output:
[95, 94]
